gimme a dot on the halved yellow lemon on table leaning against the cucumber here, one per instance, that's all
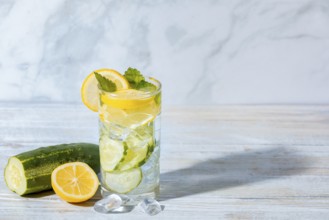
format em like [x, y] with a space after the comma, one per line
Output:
[74, 182]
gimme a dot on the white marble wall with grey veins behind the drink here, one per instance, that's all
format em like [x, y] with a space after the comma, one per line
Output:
[204, 52]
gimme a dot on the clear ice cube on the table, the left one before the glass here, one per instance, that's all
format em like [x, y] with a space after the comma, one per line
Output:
[108, 204]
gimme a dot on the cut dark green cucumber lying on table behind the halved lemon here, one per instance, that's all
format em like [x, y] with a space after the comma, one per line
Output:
[30, 172]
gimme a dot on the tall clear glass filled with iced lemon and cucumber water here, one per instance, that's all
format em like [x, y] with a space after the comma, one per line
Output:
[129, 142]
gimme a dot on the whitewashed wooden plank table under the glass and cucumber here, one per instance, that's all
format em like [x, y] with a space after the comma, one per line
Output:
[224, 162]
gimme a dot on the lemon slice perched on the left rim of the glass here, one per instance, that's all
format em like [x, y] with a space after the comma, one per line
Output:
[89, 89]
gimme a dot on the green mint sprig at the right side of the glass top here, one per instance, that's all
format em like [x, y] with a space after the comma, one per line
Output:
[137, 80]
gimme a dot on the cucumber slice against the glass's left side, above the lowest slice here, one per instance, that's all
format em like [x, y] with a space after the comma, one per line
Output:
[111, 153]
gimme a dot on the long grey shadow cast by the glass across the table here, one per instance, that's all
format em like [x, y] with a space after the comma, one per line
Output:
[231, 171]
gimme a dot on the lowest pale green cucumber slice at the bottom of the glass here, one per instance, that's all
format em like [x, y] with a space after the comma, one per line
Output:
[125, 181]
